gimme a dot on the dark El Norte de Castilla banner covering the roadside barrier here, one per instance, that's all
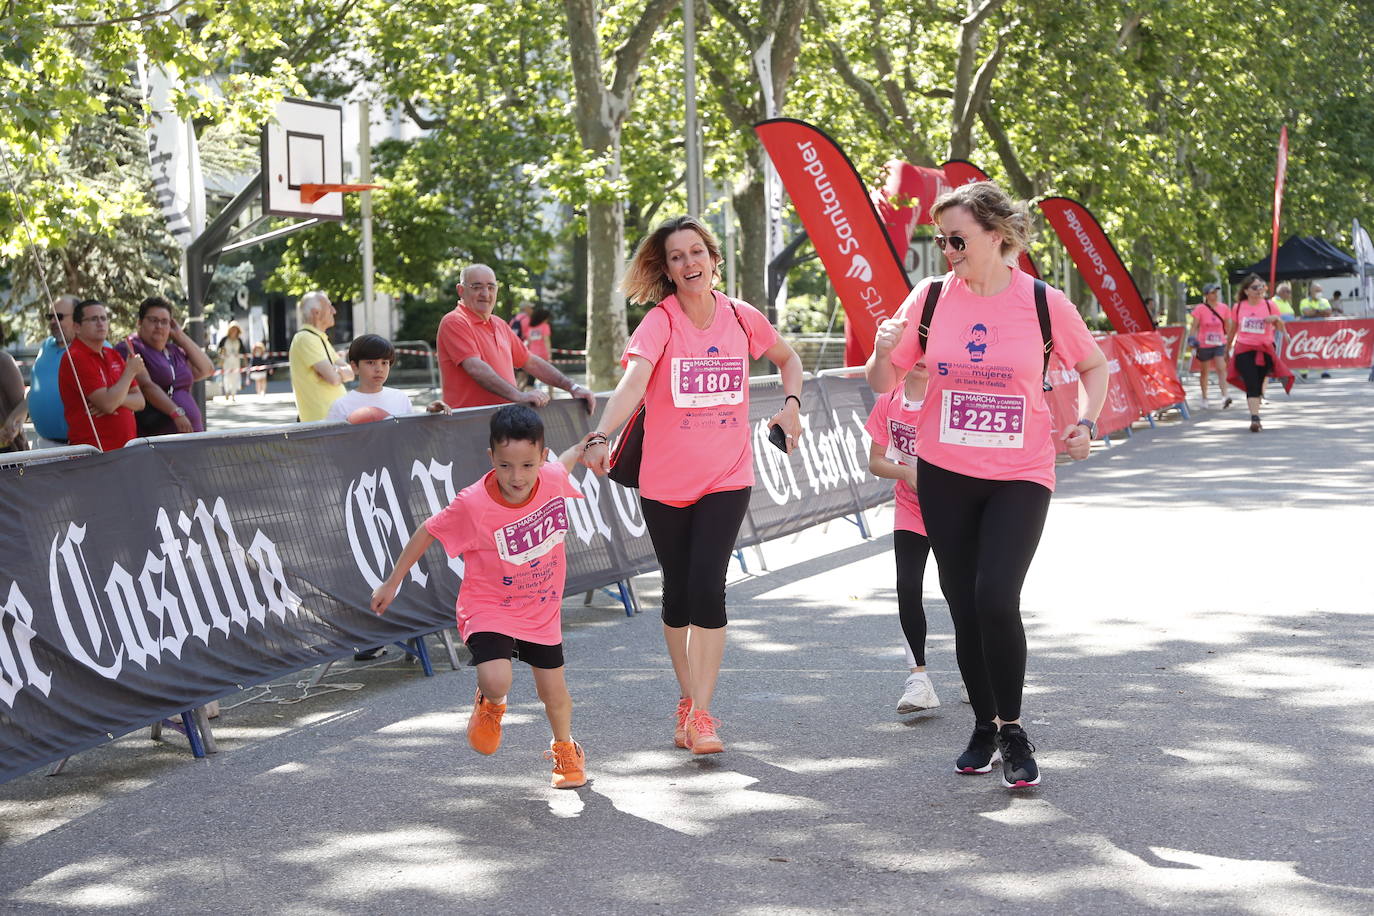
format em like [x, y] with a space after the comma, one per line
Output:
[150, 580]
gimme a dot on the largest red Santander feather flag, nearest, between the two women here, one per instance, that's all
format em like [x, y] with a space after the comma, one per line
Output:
[835, 209]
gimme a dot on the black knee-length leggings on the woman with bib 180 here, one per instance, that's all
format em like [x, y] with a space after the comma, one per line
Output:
[695, 545]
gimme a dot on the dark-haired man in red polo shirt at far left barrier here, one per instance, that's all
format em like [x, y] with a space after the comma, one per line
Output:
[98, 388]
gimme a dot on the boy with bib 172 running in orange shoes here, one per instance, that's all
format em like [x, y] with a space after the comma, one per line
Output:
[510, 528]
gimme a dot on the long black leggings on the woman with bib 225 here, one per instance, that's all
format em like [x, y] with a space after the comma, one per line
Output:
[984, 535]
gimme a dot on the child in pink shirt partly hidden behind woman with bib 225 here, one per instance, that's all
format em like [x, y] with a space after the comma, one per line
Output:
[892, 455]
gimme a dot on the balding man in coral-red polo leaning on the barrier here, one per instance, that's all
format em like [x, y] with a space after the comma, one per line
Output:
[477, 356]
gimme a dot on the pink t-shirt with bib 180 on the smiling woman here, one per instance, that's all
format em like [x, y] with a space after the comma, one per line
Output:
[697, 437]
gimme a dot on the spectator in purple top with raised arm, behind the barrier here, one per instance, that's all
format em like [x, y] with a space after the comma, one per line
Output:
[174, 363]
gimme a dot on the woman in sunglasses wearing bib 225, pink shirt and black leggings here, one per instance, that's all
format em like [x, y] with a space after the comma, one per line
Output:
[986, 447]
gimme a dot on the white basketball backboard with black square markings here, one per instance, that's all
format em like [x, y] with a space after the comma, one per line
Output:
[303, 146]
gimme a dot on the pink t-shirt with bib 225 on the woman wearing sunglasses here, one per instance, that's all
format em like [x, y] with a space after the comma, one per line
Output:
[986, 413]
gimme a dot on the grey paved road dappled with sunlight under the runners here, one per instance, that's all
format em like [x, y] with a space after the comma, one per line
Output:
[1202, 683]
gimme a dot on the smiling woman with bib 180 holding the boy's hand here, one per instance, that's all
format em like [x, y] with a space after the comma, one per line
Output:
[689, 363]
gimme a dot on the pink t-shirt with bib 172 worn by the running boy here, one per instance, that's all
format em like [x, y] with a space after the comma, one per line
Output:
[515, 571]
